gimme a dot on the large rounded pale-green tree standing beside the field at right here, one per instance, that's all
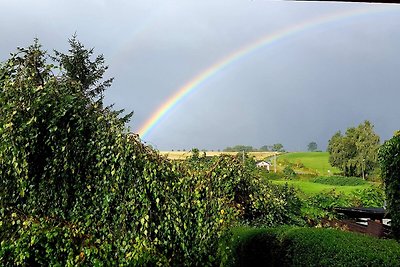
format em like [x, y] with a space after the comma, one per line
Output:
[355, 153]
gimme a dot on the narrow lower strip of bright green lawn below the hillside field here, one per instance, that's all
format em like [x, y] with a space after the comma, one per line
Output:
[310, 188]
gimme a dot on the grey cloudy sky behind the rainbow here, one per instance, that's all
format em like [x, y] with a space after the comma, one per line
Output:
[325, 67]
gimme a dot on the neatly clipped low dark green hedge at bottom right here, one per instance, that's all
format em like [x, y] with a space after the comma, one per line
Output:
[295, 246]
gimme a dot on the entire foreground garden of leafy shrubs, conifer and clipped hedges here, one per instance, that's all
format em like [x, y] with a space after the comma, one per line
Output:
[78, 188]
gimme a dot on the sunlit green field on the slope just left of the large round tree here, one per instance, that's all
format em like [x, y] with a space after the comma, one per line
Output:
[314, 161]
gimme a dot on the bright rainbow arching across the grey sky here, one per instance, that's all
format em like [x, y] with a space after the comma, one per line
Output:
[267, 40]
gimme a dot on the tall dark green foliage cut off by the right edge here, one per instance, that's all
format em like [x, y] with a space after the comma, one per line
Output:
[390, 167]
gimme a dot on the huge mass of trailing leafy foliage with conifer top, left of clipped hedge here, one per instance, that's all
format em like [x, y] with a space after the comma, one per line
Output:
[78, 189]
